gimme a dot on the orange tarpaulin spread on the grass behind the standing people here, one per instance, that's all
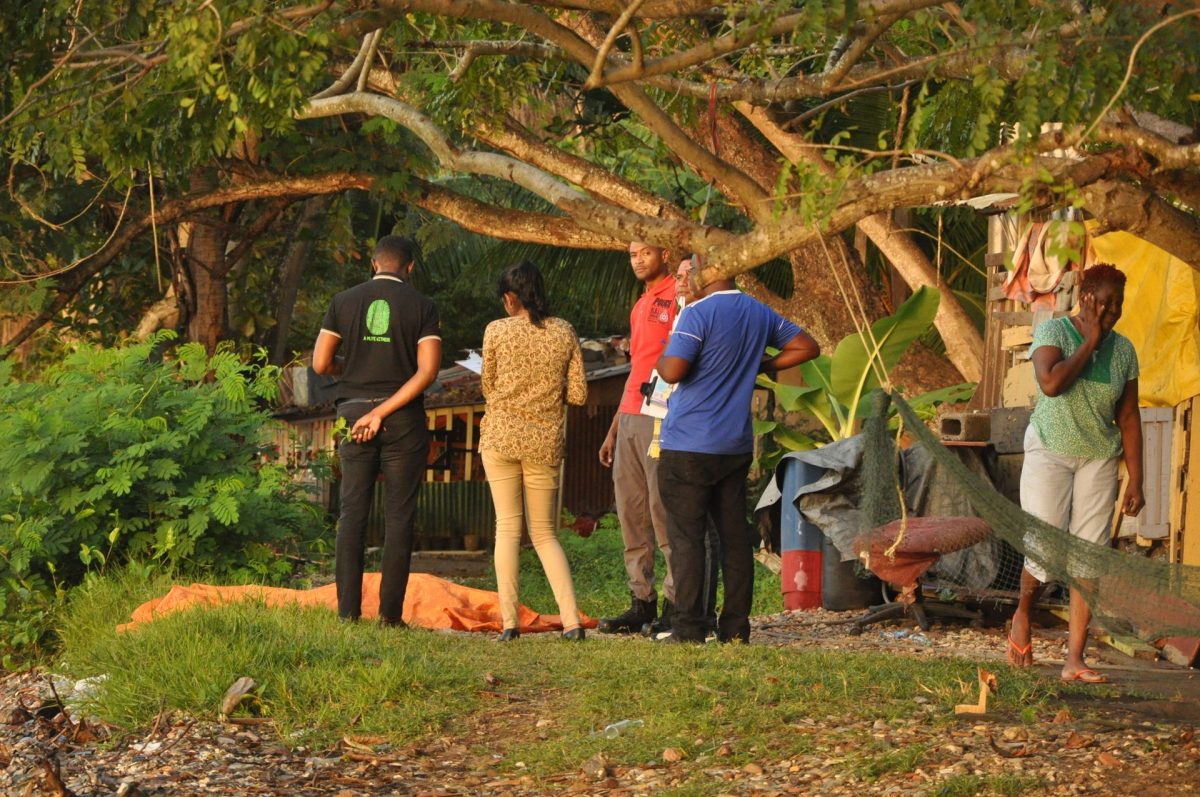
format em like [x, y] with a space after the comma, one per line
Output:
[430, 603]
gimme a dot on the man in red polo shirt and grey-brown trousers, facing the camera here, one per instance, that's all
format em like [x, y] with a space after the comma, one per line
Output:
[634, 476]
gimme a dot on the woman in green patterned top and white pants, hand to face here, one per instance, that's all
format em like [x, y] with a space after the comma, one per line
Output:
[1087, 421]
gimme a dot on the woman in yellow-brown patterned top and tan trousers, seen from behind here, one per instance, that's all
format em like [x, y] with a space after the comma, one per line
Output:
[532, 363]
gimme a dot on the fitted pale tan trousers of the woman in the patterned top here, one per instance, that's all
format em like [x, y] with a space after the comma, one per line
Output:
[524, 490]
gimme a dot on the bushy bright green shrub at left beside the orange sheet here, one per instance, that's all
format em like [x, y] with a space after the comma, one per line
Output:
[118, 456]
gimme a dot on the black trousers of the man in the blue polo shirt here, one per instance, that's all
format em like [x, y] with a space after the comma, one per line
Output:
[695, 487]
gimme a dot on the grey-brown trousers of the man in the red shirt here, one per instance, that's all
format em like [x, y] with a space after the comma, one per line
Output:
[644, 522]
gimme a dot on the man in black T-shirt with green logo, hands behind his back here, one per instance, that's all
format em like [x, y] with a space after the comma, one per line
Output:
[385, 341]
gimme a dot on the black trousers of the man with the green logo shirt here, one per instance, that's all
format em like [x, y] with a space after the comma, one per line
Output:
[399, 452]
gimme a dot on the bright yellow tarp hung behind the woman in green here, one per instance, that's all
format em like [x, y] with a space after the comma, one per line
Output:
[1162, 317]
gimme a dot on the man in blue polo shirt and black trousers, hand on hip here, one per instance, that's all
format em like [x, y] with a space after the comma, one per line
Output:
[715, 355]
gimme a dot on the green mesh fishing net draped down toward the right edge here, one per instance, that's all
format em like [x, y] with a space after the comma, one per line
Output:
[1129, 594]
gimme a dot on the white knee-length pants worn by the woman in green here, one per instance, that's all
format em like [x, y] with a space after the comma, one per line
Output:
[1075, 494]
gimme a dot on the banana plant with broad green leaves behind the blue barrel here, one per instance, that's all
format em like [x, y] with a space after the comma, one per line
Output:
[837, 388]
